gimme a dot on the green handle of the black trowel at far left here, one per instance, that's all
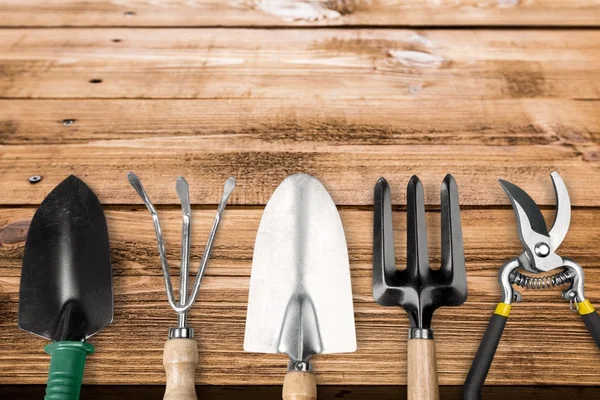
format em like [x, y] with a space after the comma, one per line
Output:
[67, 360]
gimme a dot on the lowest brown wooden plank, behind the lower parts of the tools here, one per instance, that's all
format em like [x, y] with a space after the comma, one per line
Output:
[142, 317]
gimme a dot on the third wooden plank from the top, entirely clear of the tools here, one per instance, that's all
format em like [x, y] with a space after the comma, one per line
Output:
[312, 123]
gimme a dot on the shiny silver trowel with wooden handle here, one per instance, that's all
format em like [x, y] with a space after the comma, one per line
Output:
[300, 300]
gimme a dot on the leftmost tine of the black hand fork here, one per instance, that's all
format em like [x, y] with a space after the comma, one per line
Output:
[384, 261]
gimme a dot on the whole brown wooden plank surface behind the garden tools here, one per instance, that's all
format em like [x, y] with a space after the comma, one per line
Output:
[346, 90]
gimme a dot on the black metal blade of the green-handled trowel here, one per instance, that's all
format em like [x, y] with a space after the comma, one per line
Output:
[66, 280]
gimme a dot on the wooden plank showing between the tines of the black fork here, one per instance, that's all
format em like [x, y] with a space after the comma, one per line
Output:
[135, 253]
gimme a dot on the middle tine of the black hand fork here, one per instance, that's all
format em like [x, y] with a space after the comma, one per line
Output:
[417, 260]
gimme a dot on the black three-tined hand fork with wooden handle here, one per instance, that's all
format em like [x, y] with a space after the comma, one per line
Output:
[418, 288]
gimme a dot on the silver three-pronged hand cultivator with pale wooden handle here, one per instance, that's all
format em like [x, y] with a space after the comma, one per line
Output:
[180, 356]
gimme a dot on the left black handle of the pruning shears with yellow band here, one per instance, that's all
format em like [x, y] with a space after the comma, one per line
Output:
[485, 354]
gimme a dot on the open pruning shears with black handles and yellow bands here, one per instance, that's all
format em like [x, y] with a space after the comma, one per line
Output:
[539, 256]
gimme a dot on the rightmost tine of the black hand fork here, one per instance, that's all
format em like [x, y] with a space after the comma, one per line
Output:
[453, 254]
